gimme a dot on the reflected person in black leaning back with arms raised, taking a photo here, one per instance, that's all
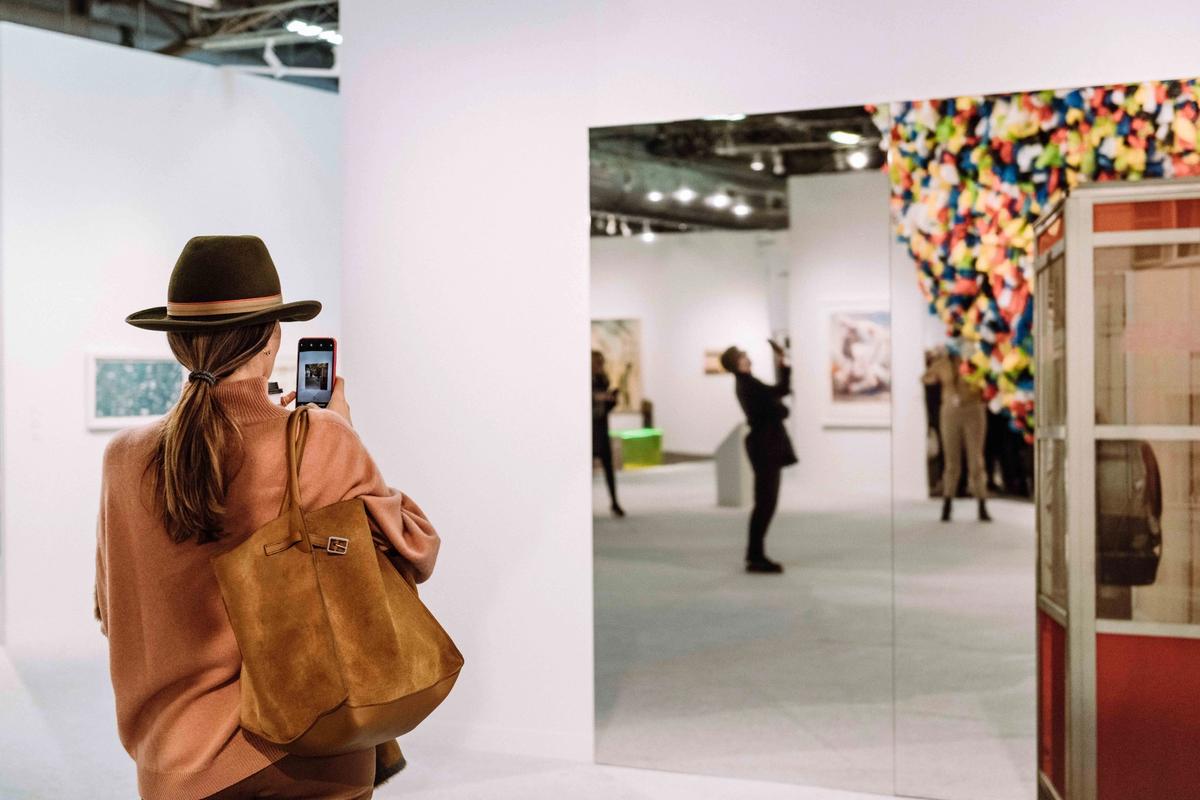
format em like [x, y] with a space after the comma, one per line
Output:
[769, 446]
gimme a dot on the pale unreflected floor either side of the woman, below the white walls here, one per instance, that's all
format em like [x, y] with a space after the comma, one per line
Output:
[58, 742]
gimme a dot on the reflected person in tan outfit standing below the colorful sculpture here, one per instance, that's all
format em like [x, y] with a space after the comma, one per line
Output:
[964, 429]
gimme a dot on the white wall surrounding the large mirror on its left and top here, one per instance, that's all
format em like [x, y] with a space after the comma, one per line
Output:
[466, 122]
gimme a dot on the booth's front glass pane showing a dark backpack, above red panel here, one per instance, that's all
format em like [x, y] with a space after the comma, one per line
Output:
[1148, 531]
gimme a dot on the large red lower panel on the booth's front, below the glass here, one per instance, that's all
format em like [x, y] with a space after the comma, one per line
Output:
[1148, 699]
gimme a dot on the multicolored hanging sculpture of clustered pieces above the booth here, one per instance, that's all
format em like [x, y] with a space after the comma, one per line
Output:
[969, 178]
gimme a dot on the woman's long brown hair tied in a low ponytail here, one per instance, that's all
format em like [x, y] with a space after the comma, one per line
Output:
[197, 438]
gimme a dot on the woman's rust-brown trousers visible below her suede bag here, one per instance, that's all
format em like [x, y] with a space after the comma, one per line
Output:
[334, 778]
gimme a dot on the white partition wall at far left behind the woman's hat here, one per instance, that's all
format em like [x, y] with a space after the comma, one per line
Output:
[111, 159]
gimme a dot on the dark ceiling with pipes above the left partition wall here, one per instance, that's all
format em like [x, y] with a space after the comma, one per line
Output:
[295, 40]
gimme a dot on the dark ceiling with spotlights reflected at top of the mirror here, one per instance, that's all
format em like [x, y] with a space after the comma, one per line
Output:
[727, 173]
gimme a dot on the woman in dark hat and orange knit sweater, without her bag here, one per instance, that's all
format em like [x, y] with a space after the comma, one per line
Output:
[203, 479]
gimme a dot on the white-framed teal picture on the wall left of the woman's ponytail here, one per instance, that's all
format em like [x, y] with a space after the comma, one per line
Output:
[128, 390]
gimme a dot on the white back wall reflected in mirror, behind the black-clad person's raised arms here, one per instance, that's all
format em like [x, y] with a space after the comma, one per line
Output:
[693, 293]
